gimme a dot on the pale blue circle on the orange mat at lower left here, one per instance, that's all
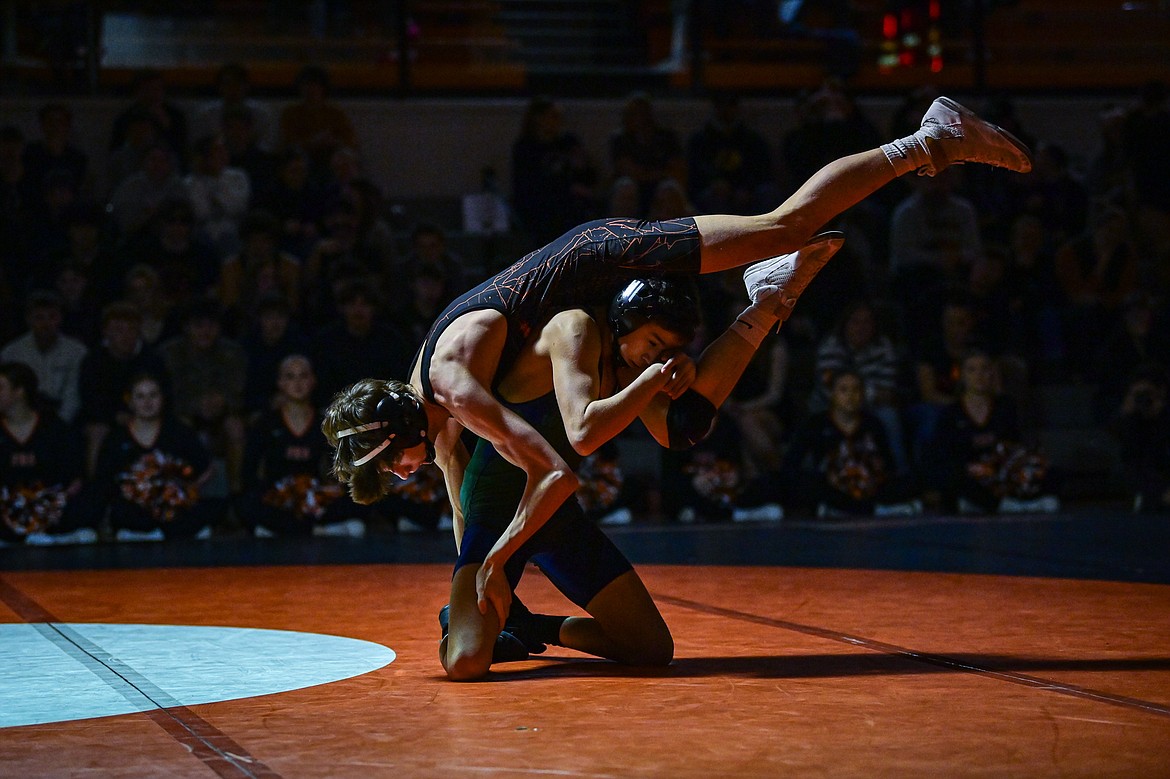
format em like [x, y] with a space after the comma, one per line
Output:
[57, 672]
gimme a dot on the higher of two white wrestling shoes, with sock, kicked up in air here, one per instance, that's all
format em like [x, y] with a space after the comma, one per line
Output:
[954, 135]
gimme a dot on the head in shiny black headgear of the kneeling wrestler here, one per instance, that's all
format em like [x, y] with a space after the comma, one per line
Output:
[652, 319]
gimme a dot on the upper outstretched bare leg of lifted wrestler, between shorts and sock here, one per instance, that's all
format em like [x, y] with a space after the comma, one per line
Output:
[732, 242]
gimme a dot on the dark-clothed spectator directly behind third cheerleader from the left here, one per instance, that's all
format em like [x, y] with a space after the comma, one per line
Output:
[272, 335]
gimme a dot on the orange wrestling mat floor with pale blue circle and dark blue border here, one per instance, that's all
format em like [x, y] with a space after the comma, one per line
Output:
[935, 647]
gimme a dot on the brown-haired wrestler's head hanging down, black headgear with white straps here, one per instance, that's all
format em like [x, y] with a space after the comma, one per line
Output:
[378, 430]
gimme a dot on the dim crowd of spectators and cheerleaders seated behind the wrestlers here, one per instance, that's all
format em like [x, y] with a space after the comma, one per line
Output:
[168, 343]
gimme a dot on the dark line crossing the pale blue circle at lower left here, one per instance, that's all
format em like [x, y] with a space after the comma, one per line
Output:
[217, 750]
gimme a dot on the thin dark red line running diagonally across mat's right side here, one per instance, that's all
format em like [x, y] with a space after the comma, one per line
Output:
[925, 658]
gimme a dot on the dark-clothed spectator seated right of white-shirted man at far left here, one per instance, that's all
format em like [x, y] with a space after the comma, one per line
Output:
[107, 370]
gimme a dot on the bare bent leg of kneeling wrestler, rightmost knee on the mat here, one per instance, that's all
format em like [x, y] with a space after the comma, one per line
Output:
[625, 626]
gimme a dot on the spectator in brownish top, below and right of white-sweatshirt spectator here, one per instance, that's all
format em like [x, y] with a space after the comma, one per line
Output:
[261, 268]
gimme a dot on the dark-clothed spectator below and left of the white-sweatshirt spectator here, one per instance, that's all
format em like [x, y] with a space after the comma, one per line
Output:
[188, 266]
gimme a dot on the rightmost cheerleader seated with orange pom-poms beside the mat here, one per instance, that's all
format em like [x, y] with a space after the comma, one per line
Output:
[978, 454]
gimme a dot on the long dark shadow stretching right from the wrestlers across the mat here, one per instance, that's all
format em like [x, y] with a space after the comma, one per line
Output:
[829, 666]
